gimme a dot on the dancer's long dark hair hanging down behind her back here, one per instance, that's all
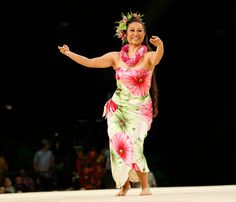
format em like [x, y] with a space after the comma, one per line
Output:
[154, 88]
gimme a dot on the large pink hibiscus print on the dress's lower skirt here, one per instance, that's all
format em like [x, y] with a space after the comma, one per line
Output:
[123, 146]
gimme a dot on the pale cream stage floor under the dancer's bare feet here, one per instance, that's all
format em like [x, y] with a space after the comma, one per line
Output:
[222, 193]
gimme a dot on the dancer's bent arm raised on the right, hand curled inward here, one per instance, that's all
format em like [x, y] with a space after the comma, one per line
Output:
[156, 56]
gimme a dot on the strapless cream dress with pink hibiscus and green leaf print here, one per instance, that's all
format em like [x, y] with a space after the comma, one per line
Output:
[129, 117]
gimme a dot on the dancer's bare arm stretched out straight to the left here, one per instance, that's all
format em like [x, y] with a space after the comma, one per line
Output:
[104, 61]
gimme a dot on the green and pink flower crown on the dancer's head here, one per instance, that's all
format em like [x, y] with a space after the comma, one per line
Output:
[122, 24]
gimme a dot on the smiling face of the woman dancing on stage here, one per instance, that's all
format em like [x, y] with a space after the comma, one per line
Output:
[135, 33]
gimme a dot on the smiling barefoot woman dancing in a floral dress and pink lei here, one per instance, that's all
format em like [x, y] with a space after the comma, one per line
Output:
[132, 108]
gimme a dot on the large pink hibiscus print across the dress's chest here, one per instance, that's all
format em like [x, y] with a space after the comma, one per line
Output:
[137, 81]
